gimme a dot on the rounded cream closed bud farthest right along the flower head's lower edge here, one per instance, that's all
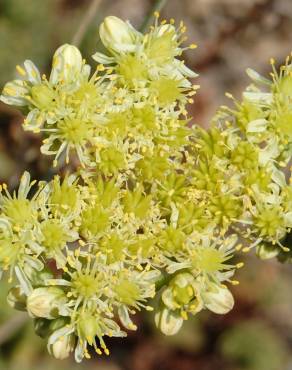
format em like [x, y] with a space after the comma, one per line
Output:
[218, 299]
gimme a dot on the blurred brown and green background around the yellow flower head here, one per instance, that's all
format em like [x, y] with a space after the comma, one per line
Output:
[232, 35]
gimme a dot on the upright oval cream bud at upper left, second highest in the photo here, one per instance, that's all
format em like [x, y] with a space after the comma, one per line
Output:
[67, 64]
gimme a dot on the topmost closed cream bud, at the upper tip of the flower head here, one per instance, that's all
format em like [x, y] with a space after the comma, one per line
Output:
[117, 35]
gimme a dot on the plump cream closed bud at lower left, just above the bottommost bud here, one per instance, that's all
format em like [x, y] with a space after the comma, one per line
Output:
[45, 302]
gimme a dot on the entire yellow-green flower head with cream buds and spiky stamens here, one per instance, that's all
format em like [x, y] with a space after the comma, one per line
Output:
[152, 215]
